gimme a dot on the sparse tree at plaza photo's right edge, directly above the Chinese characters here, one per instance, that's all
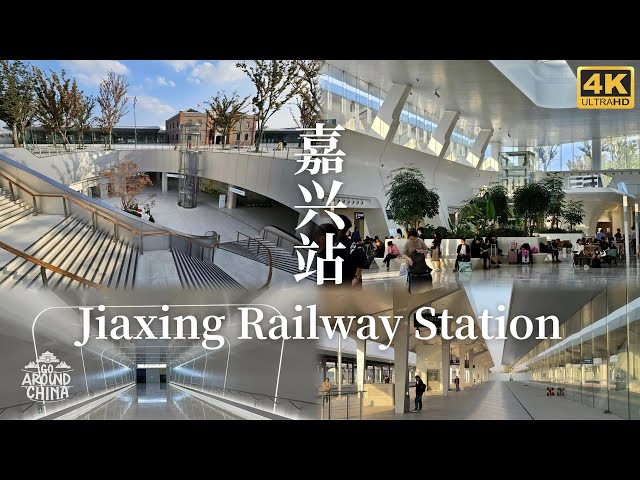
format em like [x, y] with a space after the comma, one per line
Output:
[309, 101]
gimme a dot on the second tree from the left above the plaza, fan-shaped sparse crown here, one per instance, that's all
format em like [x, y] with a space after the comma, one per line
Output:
[56, 101]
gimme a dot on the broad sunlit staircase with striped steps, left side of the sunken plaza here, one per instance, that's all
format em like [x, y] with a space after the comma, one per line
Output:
[75, 247]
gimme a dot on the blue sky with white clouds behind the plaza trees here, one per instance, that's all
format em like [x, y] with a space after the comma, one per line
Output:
[163, 87]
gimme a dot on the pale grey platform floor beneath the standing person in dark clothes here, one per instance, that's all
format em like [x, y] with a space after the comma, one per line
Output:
[496, 401]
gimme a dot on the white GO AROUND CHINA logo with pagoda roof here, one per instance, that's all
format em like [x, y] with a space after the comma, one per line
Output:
[46, 381]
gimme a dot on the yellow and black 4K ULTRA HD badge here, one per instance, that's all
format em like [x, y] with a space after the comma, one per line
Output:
[605, 88]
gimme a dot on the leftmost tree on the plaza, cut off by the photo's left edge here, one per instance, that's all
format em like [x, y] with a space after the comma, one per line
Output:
[17, 101]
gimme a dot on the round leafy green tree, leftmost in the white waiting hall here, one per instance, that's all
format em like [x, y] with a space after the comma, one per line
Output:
[408, 199]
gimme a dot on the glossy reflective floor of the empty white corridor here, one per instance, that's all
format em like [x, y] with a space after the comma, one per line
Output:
[156, 401]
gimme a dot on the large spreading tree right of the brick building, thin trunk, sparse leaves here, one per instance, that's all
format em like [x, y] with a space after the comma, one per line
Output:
[276, 82]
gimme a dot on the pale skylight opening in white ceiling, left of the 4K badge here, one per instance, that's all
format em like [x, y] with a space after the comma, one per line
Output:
[547, 83]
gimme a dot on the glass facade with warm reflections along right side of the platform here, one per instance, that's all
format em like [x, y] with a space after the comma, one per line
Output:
[597, 360]
